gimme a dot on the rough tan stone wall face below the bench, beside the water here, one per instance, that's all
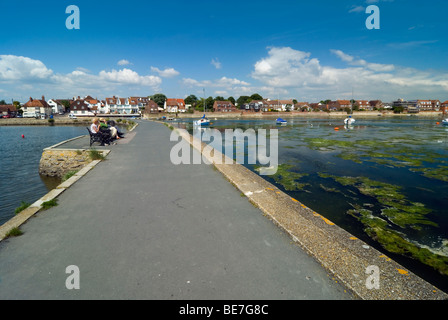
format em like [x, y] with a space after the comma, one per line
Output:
[57, 162]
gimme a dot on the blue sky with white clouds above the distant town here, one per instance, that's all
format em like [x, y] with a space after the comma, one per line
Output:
[306, 50]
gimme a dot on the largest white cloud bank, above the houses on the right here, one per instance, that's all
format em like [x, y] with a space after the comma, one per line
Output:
[305, 77]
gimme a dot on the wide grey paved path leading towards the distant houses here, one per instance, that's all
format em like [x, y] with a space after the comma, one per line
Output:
[139, 227]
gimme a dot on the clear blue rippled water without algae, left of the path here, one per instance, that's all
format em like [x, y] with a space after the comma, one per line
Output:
[19, 163]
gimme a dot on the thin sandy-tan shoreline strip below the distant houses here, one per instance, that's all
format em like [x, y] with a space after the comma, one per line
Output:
[231, 115]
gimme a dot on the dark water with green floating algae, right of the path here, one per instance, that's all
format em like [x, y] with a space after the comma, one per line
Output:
[384, 180]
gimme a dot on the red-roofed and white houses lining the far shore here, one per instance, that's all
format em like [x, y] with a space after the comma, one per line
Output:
[89, 106]
